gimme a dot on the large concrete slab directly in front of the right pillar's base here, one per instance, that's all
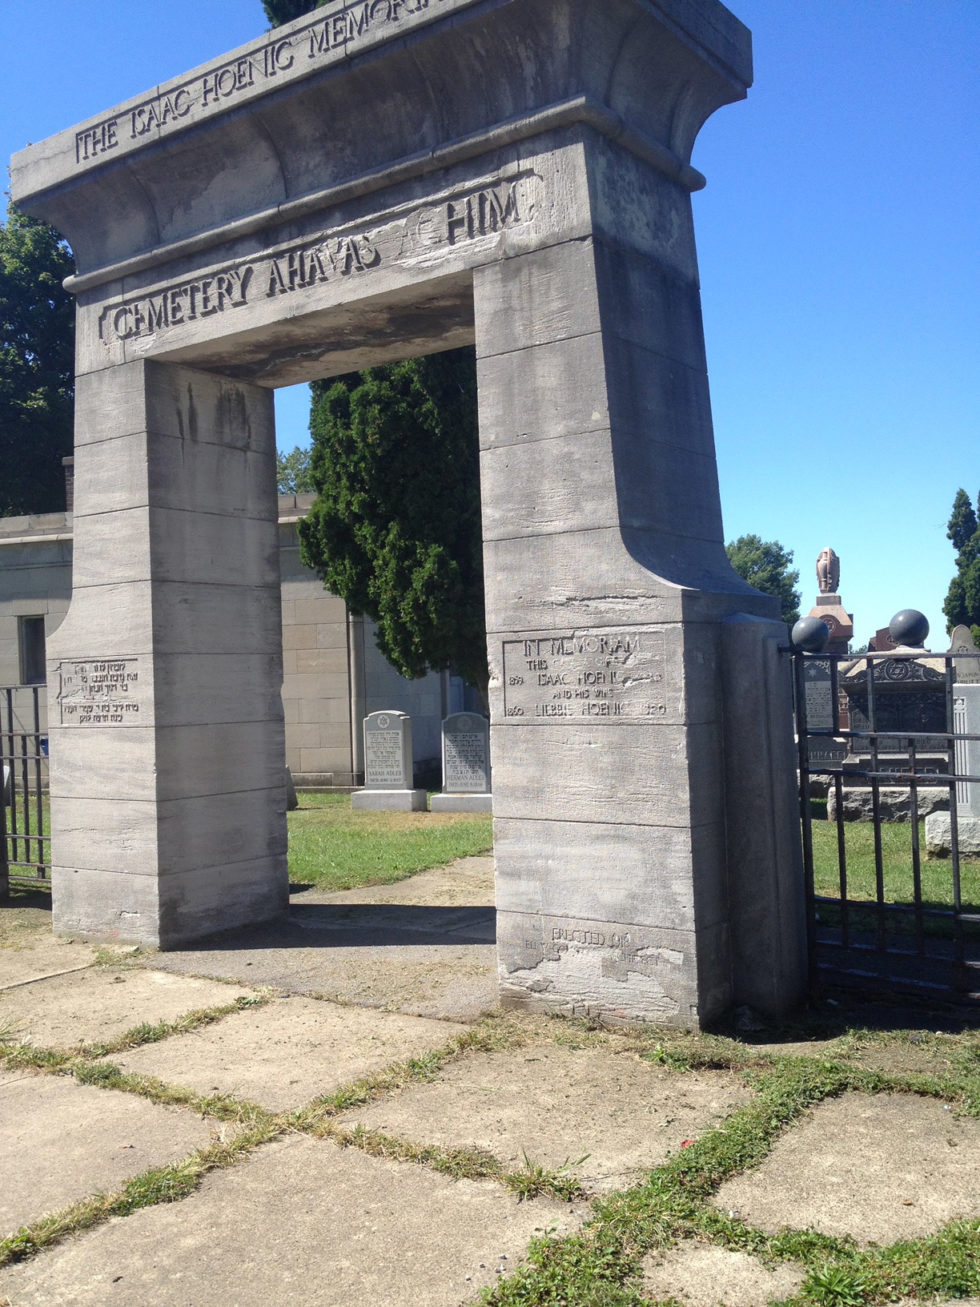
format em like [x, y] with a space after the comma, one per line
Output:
[617, 1112]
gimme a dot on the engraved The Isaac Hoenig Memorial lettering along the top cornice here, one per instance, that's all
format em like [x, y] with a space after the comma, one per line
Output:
[334, 33]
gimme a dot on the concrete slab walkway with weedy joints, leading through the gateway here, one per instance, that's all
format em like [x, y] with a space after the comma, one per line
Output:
[225, 1063]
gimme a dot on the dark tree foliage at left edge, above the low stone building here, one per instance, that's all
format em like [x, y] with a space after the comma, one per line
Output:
[37, 365]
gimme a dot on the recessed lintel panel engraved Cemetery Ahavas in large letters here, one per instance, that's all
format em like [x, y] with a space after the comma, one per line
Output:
[458, 219]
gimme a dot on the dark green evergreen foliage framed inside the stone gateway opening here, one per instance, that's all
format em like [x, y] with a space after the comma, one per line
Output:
[395, 530]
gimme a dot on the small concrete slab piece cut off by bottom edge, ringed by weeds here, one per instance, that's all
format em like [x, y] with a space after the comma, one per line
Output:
[706, 1276]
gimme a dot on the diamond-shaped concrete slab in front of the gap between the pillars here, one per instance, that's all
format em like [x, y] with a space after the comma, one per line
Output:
[288, 1053]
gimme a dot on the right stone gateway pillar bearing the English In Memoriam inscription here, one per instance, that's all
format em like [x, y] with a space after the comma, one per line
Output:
[608, 594]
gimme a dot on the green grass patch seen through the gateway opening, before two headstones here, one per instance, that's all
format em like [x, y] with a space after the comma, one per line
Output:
[334, 848]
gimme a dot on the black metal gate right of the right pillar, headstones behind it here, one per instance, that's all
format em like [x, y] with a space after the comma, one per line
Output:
[893, 896]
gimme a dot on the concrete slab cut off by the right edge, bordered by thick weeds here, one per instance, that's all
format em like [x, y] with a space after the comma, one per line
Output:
[881, 1169]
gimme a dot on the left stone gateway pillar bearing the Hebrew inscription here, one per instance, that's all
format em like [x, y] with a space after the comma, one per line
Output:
[168, 784]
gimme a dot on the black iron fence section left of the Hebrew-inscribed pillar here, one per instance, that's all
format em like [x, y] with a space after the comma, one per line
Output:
[25, 841]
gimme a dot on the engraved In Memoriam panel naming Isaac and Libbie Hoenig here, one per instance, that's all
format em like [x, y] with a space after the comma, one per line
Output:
[586, 676]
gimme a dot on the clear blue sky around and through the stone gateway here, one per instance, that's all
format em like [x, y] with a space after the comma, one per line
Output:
[838, 246]
